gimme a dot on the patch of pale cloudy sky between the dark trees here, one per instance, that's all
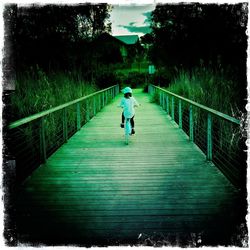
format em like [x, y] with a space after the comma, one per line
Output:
[131, 19]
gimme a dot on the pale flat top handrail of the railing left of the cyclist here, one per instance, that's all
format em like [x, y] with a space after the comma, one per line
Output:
[25, 120]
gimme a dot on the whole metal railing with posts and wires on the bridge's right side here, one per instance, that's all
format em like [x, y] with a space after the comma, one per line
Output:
[218, 135]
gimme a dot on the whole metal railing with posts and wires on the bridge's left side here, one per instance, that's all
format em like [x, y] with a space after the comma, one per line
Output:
[31, 140]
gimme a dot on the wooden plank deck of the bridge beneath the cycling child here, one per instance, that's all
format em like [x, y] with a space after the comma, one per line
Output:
[97, 190]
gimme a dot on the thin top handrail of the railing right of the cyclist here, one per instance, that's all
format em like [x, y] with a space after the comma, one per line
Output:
[212, 111]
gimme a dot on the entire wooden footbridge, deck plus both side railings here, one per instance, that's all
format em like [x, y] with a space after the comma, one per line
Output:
[178, 182]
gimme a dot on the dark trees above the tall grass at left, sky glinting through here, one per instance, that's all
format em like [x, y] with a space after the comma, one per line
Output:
[54, 36]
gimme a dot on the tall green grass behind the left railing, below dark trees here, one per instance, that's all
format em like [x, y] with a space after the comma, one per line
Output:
[36, 91]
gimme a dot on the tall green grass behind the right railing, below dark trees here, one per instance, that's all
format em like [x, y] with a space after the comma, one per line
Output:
[216, 89]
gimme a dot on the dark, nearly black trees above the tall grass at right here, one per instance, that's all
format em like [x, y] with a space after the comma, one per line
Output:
[186, 34]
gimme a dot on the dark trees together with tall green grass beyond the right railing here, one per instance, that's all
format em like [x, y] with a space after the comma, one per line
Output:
[203, 46]
